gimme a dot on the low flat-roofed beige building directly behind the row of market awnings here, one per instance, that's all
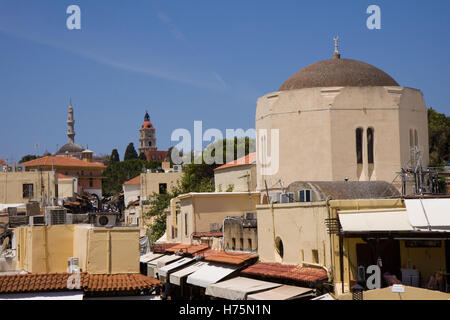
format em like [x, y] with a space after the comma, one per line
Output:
[196, 213]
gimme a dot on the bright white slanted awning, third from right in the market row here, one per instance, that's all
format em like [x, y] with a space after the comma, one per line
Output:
[210, 274]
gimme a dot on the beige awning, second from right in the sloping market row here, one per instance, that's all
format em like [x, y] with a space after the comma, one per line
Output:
[238, 288]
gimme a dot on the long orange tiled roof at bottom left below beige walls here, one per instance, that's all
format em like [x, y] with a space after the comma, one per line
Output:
[103, 284]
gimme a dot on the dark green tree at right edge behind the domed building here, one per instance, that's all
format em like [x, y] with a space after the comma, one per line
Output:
[439, 137]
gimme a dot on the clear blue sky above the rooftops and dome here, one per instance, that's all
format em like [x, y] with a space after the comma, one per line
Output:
[191, 60]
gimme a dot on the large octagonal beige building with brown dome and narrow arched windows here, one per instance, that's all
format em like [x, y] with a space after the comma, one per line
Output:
[339, 118]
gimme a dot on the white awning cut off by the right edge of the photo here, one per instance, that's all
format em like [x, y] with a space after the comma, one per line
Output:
[424, 213]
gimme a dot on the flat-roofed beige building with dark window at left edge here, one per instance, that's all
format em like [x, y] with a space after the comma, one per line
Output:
[21, 187]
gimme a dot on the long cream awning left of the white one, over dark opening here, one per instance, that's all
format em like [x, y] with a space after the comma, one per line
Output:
[374, 220]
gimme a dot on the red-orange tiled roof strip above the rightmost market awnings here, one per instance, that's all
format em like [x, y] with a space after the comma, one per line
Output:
[286, 272]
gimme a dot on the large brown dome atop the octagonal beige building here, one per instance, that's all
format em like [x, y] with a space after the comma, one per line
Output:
[338, 73]
